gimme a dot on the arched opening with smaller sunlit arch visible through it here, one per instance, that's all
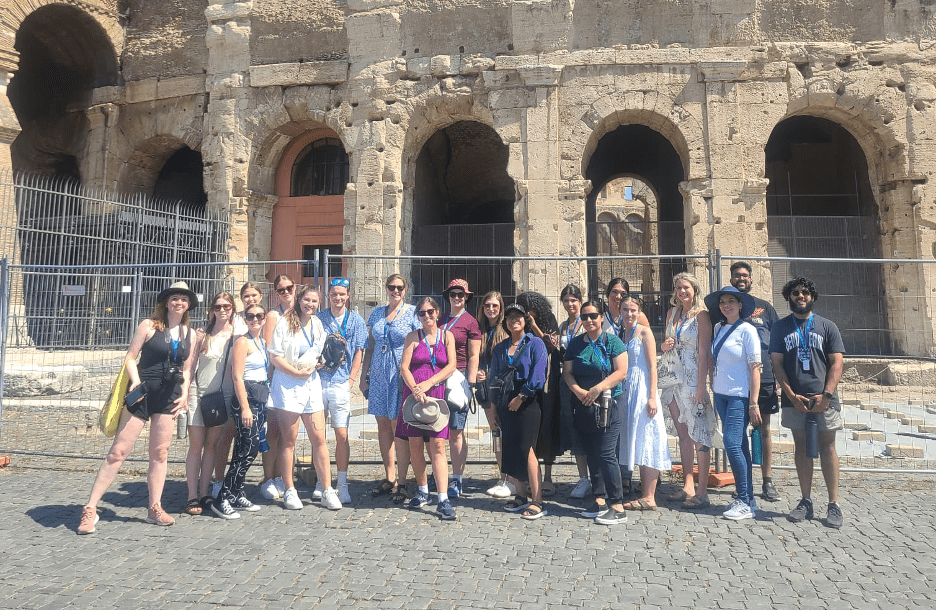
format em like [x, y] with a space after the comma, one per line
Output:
[652, 167]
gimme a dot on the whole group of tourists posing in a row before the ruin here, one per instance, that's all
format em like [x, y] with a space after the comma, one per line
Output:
[590, 385]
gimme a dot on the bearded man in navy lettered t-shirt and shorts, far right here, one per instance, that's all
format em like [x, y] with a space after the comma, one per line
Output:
[806, 351]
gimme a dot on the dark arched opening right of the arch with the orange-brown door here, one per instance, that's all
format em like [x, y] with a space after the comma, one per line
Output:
[463, 206]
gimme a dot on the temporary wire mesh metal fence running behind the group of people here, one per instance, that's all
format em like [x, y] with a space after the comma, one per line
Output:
[51, 394]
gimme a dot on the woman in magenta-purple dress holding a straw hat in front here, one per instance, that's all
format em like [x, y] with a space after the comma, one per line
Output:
[428, 360]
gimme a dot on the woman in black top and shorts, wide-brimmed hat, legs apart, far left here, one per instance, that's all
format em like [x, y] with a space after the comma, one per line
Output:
[163, 343]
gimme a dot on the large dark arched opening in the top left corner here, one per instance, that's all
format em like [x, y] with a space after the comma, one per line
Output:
[63, 55]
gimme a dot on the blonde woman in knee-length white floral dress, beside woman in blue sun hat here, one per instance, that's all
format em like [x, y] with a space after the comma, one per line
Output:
[682, 378]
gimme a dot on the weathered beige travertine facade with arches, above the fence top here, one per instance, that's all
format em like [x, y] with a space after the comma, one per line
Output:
[238, 81]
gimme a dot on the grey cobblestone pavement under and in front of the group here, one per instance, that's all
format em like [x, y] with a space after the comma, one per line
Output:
[374, 554]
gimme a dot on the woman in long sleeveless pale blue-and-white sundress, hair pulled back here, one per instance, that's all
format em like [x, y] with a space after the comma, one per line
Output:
[644, 441]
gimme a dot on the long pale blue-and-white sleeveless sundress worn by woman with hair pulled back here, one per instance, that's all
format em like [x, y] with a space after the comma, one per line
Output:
[643, 441]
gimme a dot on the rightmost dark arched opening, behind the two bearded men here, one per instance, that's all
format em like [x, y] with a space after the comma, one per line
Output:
[820, 205]
